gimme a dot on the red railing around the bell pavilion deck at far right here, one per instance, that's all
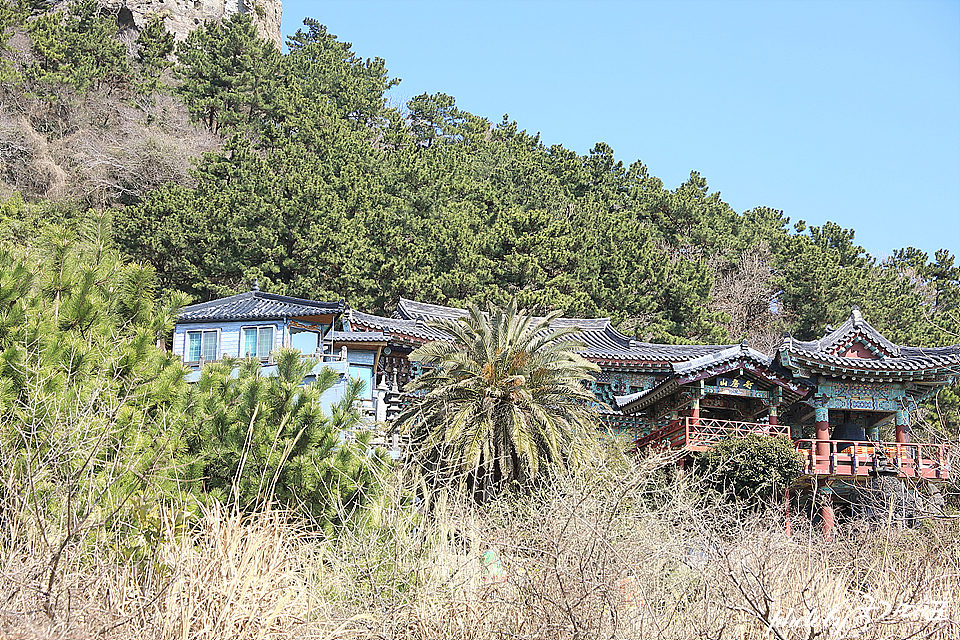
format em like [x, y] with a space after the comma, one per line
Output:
[858, 458]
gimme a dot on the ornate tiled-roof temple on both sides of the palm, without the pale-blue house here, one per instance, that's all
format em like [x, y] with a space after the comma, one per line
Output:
[847, 401]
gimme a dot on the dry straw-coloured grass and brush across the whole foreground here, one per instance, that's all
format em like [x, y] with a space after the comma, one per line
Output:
[588, 558]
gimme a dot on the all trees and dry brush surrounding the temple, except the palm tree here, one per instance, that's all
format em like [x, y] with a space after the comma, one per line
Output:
[138, 174]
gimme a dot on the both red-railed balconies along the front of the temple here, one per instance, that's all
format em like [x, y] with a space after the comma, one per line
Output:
[842, 458]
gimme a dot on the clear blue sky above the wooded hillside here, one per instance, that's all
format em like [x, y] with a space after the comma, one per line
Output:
[847, 111]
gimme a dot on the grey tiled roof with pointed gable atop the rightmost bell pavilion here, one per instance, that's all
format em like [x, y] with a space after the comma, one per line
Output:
[889, 362]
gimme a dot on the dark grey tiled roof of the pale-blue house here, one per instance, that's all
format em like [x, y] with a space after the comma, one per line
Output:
[257, 305]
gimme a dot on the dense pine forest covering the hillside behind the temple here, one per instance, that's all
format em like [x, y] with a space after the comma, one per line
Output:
[222, 160]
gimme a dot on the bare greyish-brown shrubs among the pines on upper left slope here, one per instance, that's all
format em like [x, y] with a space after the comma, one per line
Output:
[99, 148]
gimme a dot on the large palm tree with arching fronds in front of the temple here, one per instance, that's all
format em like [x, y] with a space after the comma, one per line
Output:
[500, 403]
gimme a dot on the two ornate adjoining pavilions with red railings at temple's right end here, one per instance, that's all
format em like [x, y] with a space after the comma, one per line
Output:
[847, 401]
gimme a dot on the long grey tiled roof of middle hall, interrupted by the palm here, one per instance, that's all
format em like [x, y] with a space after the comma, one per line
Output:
[603, 342]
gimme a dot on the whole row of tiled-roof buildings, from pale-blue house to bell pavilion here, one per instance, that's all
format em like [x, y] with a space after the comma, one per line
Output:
[847, 401]
